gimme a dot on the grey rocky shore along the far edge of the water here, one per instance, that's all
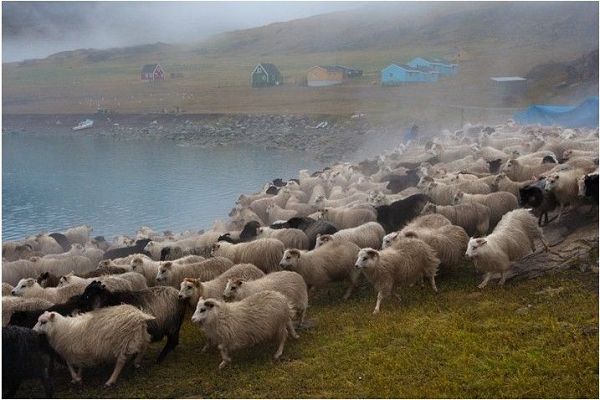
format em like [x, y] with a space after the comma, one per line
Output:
[327, 138]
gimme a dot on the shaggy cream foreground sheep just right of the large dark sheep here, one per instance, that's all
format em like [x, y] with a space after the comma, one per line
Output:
[227, 326]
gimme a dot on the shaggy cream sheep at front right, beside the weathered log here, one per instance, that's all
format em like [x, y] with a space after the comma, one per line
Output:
[512, 239]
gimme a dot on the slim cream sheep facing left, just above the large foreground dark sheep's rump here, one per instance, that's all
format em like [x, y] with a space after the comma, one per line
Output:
[170, 274]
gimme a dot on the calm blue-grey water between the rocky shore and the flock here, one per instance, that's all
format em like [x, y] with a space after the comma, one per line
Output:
[50, 183]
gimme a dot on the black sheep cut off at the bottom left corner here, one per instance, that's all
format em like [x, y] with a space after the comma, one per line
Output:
[25, 355]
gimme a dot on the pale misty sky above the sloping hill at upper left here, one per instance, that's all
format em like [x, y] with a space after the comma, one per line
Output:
[38, 29]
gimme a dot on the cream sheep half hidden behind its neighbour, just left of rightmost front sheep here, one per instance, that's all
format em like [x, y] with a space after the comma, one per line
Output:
[449, 242]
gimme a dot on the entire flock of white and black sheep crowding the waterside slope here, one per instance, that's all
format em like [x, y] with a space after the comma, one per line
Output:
[481, 192]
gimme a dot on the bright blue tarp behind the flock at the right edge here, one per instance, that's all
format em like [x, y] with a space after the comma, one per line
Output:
[582, 115]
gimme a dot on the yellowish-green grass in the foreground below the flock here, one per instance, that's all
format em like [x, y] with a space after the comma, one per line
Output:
[461, 342]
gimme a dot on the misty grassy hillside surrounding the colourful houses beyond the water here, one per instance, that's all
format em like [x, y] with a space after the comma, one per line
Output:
[492, 39]
